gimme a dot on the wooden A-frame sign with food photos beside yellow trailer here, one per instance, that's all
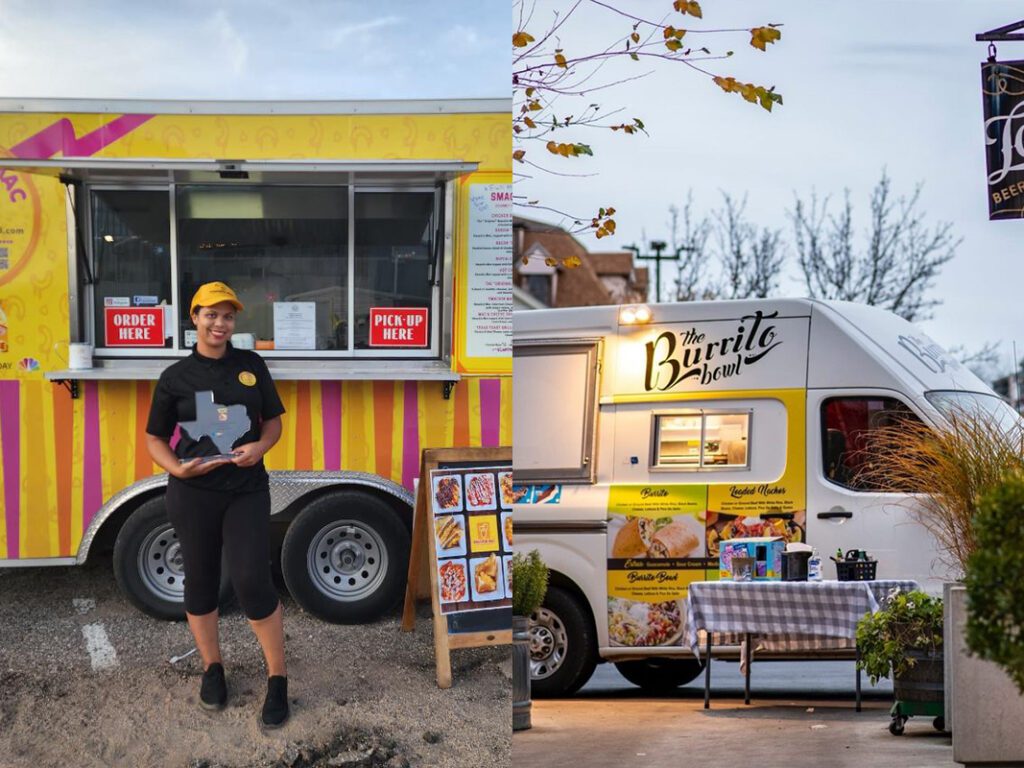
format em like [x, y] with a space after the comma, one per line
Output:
[462, 531]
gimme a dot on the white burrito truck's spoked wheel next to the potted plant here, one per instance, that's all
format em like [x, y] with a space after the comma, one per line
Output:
[564, 646]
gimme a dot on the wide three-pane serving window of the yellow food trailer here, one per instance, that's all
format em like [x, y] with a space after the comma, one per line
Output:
[323, 271]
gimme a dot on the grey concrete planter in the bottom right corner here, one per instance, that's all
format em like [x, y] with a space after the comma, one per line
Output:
[987, 711]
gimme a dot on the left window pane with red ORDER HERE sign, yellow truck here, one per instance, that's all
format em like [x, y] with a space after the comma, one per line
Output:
[132, 267]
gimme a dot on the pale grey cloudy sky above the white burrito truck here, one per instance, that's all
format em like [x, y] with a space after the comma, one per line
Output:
[868, 86]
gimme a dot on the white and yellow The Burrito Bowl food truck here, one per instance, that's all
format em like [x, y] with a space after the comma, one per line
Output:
[645, 436]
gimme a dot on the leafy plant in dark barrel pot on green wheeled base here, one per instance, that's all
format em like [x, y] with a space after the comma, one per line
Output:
[905, 639]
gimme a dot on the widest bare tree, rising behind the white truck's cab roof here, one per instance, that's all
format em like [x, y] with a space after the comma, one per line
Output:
[895, 266]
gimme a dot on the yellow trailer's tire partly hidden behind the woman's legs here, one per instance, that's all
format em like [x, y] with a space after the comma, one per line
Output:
[145, 542]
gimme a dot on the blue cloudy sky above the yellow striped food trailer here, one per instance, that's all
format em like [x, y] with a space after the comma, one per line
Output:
[254, 49]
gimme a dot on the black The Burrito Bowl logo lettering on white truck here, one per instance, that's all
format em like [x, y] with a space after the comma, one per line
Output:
[675, 357]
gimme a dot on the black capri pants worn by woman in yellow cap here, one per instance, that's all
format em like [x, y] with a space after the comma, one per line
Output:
[205, 522]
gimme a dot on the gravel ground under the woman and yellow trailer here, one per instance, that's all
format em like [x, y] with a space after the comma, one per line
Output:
[362, 696]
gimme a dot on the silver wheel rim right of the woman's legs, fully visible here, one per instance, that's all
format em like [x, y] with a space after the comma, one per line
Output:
[348, 561]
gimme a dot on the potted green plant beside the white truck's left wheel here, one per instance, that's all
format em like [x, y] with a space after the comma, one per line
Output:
[530, 584]
